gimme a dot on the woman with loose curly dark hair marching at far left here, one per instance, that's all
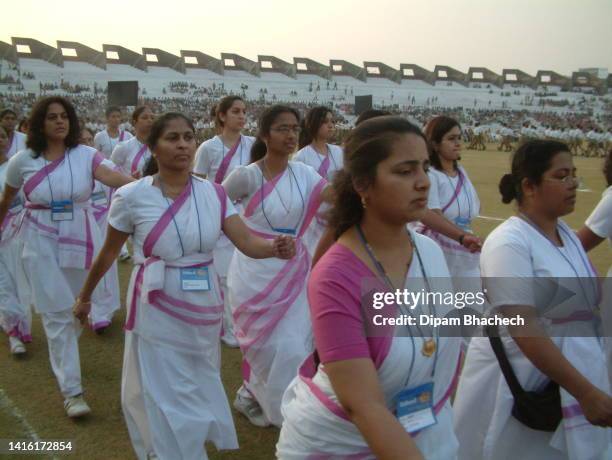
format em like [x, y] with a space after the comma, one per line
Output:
[59, 233]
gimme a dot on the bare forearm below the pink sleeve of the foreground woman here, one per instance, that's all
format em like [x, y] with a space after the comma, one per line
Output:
[355, 382]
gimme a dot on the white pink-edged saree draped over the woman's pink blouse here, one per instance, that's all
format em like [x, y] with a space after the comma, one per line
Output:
[316, 426]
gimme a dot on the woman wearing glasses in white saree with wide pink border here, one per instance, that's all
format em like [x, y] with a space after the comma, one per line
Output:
[268, 297]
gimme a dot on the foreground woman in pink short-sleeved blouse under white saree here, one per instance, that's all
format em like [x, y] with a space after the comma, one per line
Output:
[373, 391]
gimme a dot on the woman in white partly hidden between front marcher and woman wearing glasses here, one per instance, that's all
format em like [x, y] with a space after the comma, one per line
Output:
[216, 159]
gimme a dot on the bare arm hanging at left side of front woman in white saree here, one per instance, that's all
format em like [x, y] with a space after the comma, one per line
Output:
[108, 254]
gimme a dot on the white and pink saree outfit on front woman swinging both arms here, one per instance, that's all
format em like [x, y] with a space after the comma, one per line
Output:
[172, 395]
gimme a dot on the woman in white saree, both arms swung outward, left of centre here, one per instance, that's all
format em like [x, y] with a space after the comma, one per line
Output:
[172, 395]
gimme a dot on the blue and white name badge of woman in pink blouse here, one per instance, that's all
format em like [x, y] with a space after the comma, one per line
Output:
[414, 408]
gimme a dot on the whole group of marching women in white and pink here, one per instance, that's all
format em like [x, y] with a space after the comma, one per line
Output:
[225, 242]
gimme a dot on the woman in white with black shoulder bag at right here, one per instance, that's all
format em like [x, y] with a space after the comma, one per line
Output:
[527, 263]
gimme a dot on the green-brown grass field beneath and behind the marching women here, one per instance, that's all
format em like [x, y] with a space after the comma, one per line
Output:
[31, 387]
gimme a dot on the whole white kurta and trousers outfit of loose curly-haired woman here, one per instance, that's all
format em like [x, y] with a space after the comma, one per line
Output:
[57, 254]
